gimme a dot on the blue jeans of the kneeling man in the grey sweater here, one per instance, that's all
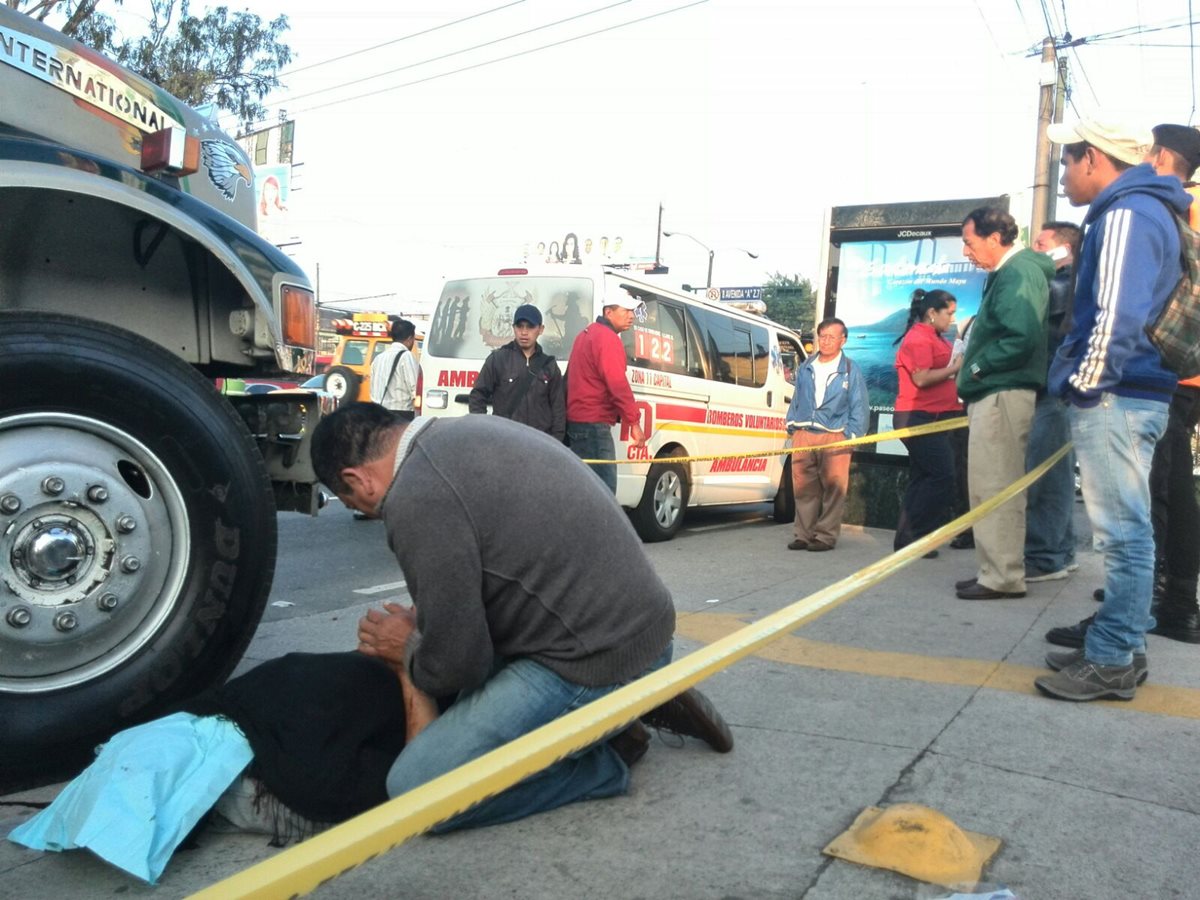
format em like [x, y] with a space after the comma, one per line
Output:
[520, 697]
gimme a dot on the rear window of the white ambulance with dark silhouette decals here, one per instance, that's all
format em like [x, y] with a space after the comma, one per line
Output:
[475, 316]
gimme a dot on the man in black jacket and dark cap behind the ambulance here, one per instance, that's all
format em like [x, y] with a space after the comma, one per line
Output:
[521, 382]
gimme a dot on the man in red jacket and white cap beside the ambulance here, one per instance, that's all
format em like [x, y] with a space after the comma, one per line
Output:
[598, 394]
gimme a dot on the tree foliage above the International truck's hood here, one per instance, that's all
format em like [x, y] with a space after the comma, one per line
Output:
[229, 59]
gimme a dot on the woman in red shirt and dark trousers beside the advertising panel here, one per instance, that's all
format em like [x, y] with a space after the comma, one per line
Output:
[927, 370]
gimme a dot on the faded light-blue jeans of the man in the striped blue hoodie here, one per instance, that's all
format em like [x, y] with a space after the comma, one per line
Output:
[1115, 446]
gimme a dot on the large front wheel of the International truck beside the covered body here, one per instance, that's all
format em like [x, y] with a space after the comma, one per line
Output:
[137, 537]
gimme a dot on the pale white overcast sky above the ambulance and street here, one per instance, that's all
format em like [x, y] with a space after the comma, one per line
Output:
[746, 121]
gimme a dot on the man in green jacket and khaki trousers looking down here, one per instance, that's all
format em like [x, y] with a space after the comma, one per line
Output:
[1004, 368]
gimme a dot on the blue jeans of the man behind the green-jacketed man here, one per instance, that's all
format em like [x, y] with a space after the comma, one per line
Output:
[1051, 501]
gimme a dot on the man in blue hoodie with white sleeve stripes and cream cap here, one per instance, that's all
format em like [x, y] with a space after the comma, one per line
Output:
[1117, 387]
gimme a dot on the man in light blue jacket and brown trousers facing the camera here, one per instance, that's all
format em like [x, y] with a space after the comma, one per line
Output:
[830, 406]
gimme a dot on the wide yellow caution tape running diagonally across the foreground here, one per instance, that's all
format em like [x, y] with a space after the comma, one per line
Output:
[308, 866]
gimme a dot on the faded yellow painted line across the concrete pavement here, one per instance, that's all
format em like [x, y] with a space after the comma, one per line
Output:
[709, 627]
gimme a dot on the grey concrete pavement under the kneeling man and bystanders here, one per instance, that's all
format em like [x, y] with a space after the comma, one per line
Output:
[904, 694]
